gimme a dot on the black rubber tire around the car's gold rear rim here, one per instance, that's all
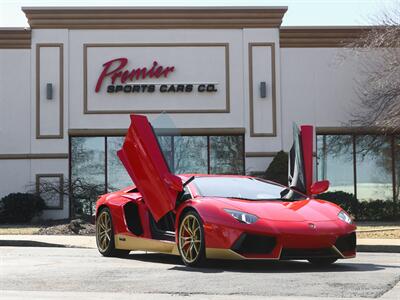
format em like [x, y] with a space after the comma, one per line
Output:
[109, 249]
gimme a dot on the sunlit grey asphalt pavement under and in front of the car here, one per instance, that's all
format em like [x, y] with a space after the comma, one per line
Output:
[72, 273]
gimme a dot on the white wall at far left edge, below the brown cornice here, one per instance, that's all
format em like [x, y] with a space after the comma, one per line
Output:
[15, 118]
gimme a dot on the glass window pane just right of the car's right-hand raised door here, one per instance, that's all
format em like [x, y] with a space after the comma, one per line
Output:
[335, 161]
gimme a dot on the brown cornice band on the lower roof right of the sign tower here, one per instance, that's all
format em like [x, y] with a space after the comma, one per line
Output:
[319, 37]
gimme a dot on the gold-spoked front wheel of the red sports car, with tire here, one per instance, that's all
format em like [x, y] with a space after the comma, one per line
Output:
[191, 243]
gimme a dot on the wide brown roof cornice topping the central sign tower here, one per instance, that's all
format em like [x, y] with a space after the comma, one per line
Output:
[154, 17]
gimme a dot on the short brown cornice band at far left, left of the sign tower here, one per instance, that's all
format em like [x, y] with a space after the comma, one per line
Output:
[15, 38]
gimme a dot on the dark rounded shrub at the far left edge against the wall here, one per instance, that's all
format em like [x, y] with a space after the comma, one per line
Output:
[20, 207]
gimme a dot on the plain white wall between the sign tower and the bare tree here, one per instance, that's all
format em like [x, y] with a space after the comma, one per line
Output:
[318, 88]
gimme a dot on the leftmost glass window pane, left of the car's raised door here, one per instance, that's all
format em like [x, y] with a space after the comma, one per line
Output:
[87, 172]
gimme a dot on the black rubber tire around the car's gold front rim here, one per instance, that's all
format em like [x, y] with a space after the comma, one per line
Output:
[200, 259]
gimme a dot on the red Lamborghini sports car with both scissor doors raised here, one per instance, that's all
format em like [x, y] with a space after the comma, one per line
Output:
[203, 217]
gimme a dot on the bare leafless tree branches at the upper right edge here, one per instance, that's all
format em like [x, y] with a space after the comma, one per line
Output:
[379, 86]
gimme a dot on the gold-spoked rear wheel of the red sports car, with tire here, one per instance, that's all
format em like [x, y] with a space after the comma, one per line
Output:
[105, 235]
